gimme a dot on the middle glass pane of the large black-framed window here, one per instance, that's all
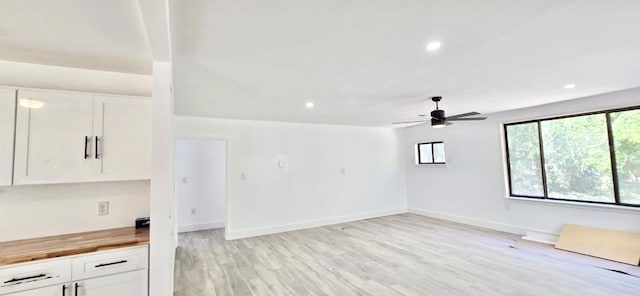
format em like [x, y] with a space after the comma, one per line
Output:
[577, 159]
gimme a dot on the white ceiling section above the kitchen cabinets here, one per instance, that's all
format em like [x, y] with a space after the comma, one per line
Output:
[91, 34]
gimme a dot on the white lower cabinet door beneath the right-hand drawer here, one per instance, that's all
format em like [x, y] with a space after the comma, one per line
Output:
[124, 284]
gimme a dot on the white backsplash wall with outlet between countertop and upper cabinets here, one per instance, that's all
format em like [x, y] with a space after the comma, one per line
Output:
[43, 210]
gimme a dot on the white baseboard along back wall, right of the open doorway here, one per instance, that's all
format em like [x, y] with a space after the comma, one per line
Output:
[231, 235]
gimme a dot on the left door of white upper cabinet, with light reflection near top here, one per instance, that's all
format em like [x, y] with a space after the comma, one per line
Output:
[53, 137]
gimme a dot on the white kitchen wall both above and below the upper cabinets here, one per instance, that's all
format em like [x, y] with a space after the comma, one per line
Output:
[39, 210]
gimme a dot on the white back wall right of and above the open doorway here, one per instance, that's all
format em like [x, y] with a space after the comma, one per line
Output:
[310, 189]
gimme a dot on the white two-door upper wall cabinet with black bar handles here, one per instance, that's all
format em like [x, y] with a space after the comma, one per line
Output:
[64, 137]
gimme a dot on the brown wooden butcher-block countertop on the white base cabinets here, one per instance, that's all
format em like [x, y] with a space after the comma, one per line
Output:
[71, 244]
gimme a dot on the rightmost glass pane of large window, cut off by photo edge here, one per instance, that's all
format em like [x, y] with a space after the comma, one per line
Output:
[625, 127]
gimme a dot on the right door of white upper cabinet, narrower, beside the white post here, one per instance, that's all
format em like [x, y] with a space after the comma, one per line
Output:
[122, 131]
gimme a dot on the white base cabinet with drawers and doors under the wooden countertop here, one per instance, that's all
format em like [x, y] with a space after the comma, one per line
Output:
[119, 272]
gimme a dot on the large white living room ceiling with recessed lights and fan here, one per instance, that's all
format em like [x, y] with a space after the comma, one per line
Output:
[363, 62]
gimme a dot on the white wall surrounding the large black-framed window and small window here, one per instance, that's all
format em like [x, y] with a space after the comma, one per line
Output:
[472, 188]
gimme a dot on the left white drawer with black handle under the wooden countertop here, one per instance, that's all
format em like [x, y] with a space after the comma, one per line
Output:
[35, 275]
